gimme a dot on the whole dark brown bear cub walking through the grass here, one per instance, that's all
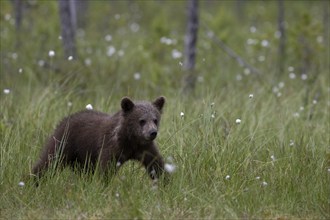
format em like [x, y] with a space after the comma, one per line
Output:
[90, 138]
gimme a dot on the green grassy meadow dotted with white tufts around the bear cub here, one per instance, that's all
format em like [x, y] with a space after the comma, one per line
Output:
[272, 163]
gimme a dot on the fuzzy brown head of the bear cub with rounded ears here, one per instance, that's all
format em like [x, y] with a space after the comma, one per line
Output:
[141, 119]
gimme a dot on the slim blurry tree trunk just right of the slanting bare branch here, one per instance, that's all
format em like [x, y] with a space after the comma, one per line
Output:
[281, 29]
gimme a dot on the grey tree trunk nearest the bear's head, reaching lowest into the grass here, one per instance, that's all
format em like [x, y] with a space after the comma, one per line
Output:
[190, 46]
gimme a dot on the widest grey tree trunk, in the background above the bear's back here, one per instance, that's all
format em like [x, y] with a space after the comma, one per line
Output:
[68, 26]
